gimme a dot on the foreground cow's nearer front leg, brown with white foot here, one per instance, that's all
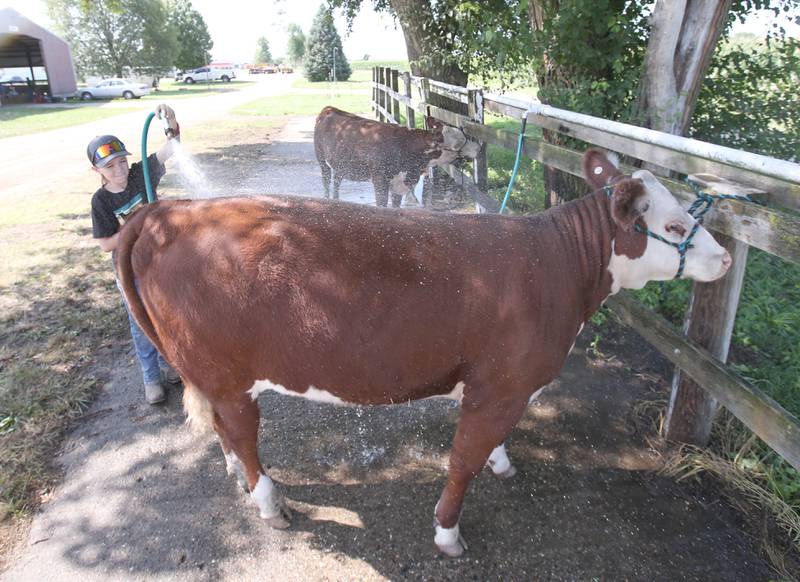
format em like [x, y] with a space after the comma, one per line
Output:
[478, 434]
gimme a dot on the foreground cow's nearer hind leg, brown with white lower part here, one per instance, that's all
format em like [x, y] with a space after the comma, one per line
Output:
[238, 421]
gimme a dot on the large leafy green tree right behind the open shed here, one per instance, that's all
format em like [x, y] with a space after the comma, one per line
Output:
[115, 37]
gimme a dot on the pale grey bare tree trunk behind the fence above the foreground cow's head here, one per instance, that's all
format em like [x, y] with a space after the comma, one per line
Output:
[683, 36]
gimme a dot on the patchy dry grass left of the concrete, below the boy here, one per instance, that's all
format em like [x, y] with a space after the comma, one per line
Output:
[56, 317]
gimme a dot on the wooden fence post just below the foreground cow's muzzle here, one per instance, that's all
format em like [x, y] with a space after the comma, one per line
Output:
[709, 323]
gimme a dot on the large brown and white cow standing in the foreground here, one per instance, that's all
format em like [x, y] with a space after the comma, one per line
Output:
[346, 303]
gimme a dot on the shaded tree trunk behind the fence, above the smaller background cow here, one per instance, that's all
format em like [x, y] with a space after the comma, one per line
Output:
[420, 45]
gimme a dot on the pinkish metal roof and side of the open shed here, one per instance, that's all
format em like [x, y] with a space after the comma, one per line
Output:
[23, 43]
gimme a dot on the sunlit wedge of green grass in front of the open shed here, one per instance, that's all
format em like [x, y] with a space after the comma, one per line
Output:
[22, 120]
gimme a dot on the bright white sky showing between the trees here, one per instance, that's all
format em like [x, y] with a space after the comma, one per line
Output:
[235, 26]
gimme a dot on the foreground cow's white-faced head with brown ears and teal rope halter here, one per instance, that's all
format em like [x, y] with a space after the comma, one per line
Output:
[664, 216]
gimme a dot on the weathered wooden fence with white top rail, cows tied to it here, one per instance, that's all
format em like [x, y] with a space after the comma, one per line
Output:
[703, 348]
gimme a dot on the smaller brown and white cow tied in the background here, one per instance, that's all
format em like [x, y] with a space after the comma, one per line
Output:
[349, 147]
